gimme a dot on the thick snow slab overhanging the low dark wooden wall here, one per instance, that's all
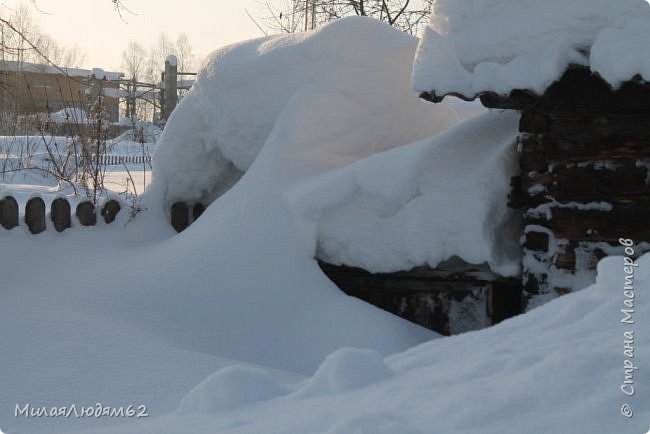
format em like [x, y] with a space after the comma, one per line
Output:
[451, 194]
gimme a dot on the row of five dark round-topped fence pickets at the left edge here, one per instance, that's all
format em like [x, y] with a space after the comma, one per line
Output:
[35, 215]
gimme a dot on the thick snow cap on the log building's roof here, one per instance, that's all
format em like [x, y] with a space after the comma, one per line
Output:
[477, 46]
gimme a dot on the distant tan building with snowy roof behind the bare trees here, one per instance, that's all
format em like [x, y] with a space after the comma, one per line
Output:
[29, 88]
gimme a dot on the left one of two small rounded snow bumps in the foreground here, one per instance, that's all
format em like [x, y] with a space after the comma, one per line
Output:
[231, 387]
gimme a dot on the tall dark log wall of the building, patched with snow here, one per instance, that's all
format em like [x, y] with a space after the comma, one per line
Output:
[585, 179]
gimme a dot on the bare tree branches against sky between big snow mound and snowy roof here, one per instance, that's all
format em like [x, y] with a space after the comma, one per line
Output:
[299, 15]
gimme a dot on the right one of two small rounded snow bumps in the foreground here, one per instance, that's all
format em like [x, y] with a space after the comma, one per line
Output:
[346, 369]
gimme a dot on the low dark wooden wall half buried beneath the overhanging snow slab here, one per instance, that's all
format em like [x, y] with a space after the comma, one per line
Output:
[453, 298]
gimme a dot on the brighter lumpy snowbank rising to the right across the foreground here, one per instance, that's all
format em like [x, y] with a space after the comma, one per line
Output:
[557, 369]
